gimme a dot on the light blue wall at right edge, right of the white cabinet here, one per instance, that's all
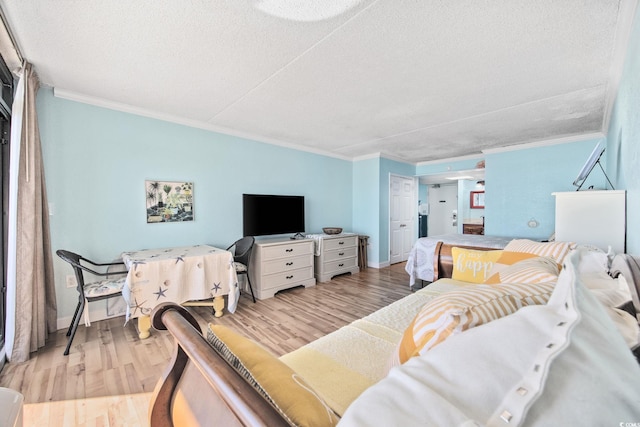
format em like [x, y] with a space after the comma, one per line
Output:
[623, 138]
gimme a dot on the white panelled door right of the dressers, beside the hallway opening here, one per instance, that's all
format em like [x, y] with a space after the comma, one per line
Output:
[402, 207]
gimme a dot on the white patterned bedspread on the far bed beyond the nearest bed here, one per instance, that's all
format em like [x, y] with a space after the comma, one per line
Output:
[421, 258]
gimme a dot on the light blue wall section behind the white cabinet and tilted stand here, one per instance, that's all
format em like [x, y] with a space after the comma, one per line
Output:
[518, 186]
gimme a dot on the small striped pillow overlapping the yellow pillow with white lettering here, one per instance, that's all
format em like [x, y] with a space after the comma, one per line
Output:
[533, 270]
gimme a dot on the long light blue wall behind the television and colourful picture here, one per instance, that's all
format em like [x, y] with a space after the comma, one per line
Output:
[97, 160]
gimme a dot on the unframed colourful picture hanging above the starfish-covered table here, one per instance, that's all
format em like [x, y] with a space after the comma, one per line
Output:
[169, 201]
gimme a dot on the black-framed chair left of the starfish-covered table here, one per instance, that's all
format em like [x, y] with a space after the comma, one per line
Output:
[93, 291]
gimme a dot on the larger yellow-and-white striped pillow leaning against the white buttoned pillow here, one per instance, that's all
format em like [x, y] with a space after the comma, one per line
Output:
[457, 311]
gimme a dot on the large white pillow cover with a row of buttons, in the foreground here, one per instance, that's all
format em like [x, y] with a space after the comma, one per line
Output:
[563, 363]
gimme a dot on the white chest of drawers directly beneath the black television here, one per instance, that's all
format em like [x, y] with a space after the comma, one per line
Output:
[281, 263]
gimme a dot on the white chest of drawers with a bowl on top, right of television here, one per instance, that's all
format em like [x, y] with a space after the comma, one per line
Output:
[335, 254]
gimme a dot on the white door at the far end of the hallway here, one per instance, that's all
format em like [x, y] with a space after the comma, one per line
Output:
[443, 209]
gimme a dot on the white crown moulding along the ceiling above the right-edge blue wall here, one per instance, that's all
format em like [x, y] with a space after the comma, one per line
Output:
[626, 14]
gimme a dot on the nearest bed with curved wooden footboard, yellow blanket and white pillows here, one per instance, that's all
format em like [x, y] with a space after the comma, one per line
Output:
[545, 360]
